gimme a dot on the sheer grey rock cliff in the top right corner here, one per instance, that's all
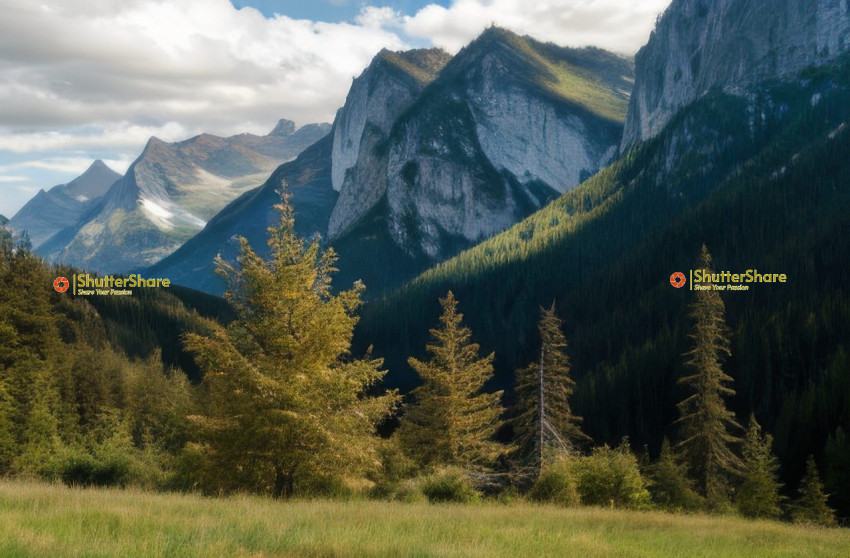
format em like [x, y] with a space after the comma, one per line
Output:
[728, 44]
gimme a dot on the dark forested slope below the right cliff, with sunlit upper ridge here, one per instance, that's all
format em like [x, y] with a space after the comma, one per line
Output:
[763, 180]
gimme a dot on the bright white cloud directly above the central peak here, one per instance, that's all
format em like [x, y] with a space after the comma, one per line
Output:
[621, 26]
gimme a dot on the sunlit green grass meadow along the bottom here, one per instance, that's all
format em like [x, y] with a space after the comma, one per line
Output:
[44, 520]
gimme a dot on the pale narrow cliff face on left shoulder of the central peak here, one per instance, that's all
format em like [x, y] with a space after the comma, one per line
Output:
[376, 99]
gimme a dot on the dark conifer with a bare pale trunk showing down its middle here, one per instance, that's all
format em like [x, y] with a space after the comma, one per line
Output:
[544, 422]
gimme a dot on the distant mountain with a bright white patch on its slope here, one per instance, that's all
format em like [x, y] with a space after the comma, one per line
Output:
[169, 193]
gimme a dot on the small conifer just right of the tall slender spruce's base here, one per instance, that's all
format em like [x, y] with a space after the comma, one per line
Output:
[759, 496]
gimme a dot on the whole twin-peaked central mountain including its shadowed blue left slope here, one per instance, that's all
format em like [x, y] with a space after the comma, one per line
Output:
[431, 154]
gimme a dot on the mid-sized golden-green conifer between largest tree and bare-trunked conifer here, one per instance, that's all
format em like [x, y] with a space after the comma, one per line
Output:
[451, 421]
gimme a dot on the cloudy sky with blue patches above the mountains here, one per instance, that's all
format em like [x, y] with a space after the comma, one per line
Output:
[83, 80]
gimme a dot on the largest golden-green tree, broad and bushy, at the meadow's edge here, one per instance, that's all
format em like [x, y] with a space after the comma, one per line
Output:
[285, 402]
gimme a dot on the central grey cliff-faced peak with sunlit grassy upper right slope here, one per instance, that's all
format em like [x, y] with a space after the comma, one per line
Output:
[509, 124]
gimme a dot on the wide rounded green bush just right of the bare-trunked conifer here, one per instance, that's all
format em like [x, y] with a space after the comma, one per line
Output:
[610, 477]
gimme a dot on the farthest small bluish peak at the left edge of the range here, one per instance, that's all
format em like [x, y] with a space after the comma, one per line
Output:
[62, 206]
